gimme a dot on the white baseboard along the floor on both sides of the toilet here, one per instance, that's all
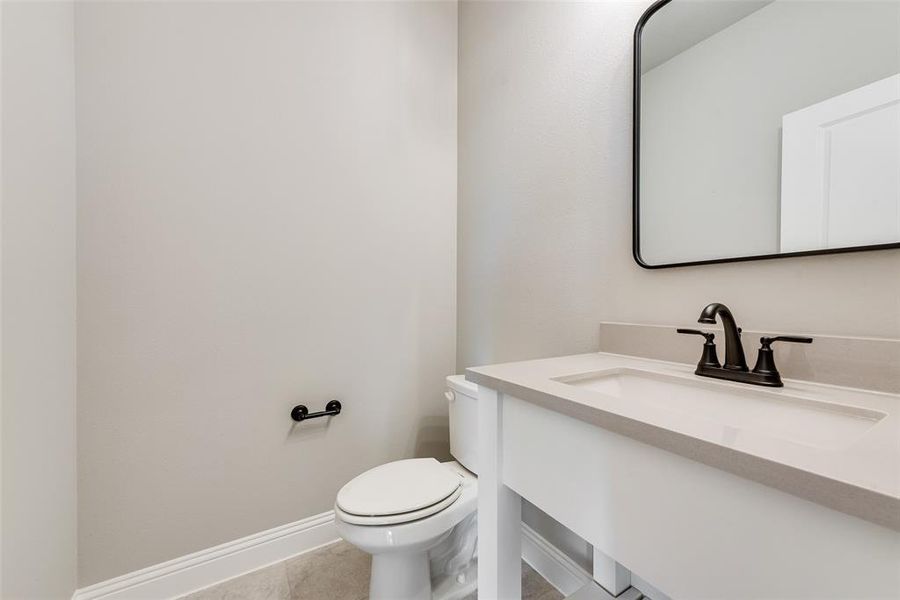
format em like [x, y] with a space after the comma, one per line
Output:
[196, 571]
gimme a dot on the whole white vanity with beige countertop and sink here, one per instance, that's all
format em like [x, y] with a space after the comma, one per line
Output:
[705, 488]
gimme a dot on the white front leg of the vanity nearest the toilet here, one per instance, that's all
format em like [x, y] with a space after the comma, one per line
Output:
[499, 509]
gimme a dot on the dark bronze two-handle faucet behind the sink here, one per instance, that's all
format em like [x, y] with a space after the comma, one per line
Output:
[735, 367]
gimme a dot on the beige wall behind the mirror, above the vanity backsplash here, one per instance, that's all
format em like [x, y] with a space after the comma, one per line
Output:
[545, 203]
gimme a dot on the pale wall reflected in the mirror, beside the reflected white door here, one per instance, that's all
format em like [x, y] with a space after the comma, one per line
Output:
[691, 195]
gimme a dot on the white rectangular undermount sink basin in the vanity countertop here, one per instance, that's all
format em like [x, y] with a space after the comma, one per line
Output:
[781, 414]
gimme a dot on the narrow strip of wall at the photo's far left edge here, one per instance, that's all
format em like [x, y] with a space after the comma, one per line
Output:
[37, 244]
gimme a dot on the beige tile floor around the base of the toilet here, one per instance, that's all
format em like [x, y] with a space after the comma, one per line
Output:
[336, 572]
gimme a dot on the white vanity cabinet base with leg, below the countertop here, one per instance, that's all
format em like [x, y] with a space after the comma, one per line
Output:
[690, 529]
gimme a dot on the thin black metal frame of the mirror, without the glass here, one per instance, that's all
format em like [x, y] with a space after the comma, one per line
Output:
[636, 154]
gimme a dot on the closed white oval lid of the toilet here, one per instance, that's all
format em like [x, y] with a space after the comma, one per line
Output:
[398, 487]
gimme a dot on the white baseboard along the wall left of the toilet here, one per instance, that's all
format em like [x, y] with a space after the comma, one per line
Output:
[196, 571]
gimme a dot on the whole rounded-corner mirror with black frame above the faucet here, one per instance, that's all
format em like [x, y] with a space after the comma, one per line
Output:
[765, 129]
